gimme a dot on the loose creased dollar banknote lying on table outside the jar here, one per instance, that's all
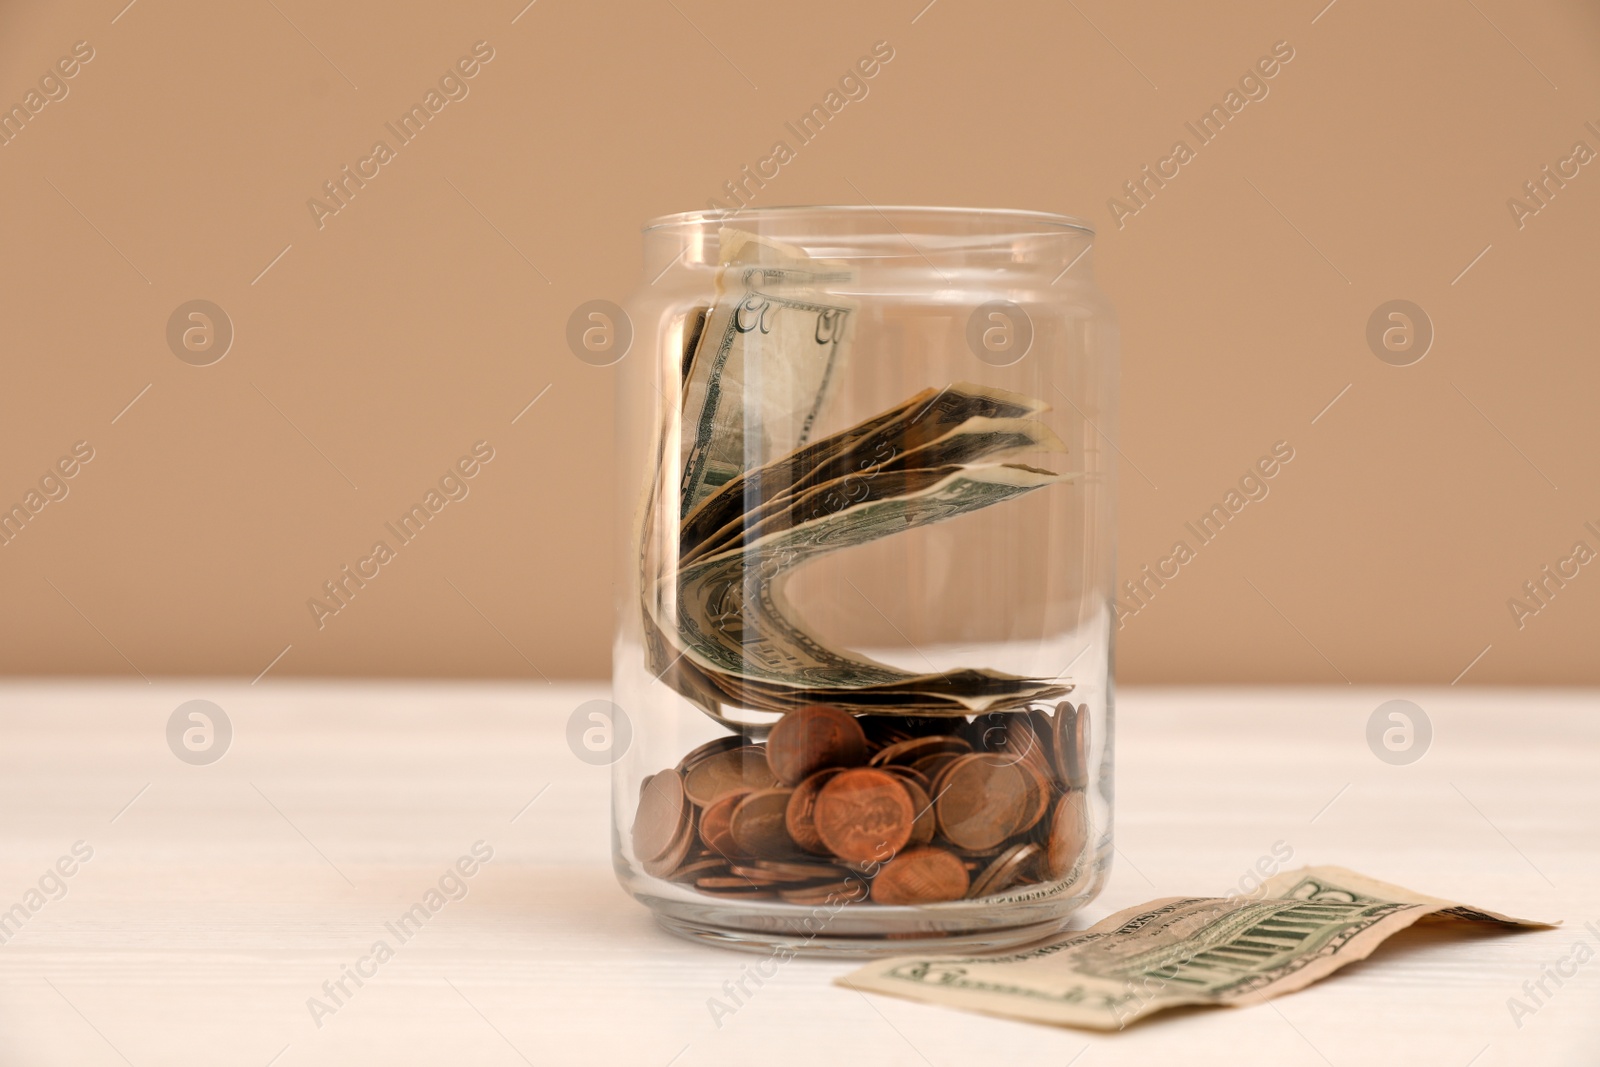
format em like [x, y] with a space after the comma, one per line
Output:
[1180, 951]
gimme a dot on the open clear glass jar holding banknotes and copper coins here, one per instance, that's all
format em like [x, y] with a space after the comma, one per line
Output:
[866, 609]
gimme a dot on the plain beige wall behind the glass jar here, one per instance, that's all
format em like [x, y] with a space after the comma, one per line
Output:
[374, 351]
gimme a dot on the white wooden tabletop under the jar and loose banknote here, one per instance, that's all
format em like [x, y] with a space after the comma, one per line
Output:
[220, 898]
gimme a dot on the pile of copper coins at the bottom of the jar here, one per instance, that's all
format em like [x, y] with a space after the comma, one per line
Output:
[886, 809]
